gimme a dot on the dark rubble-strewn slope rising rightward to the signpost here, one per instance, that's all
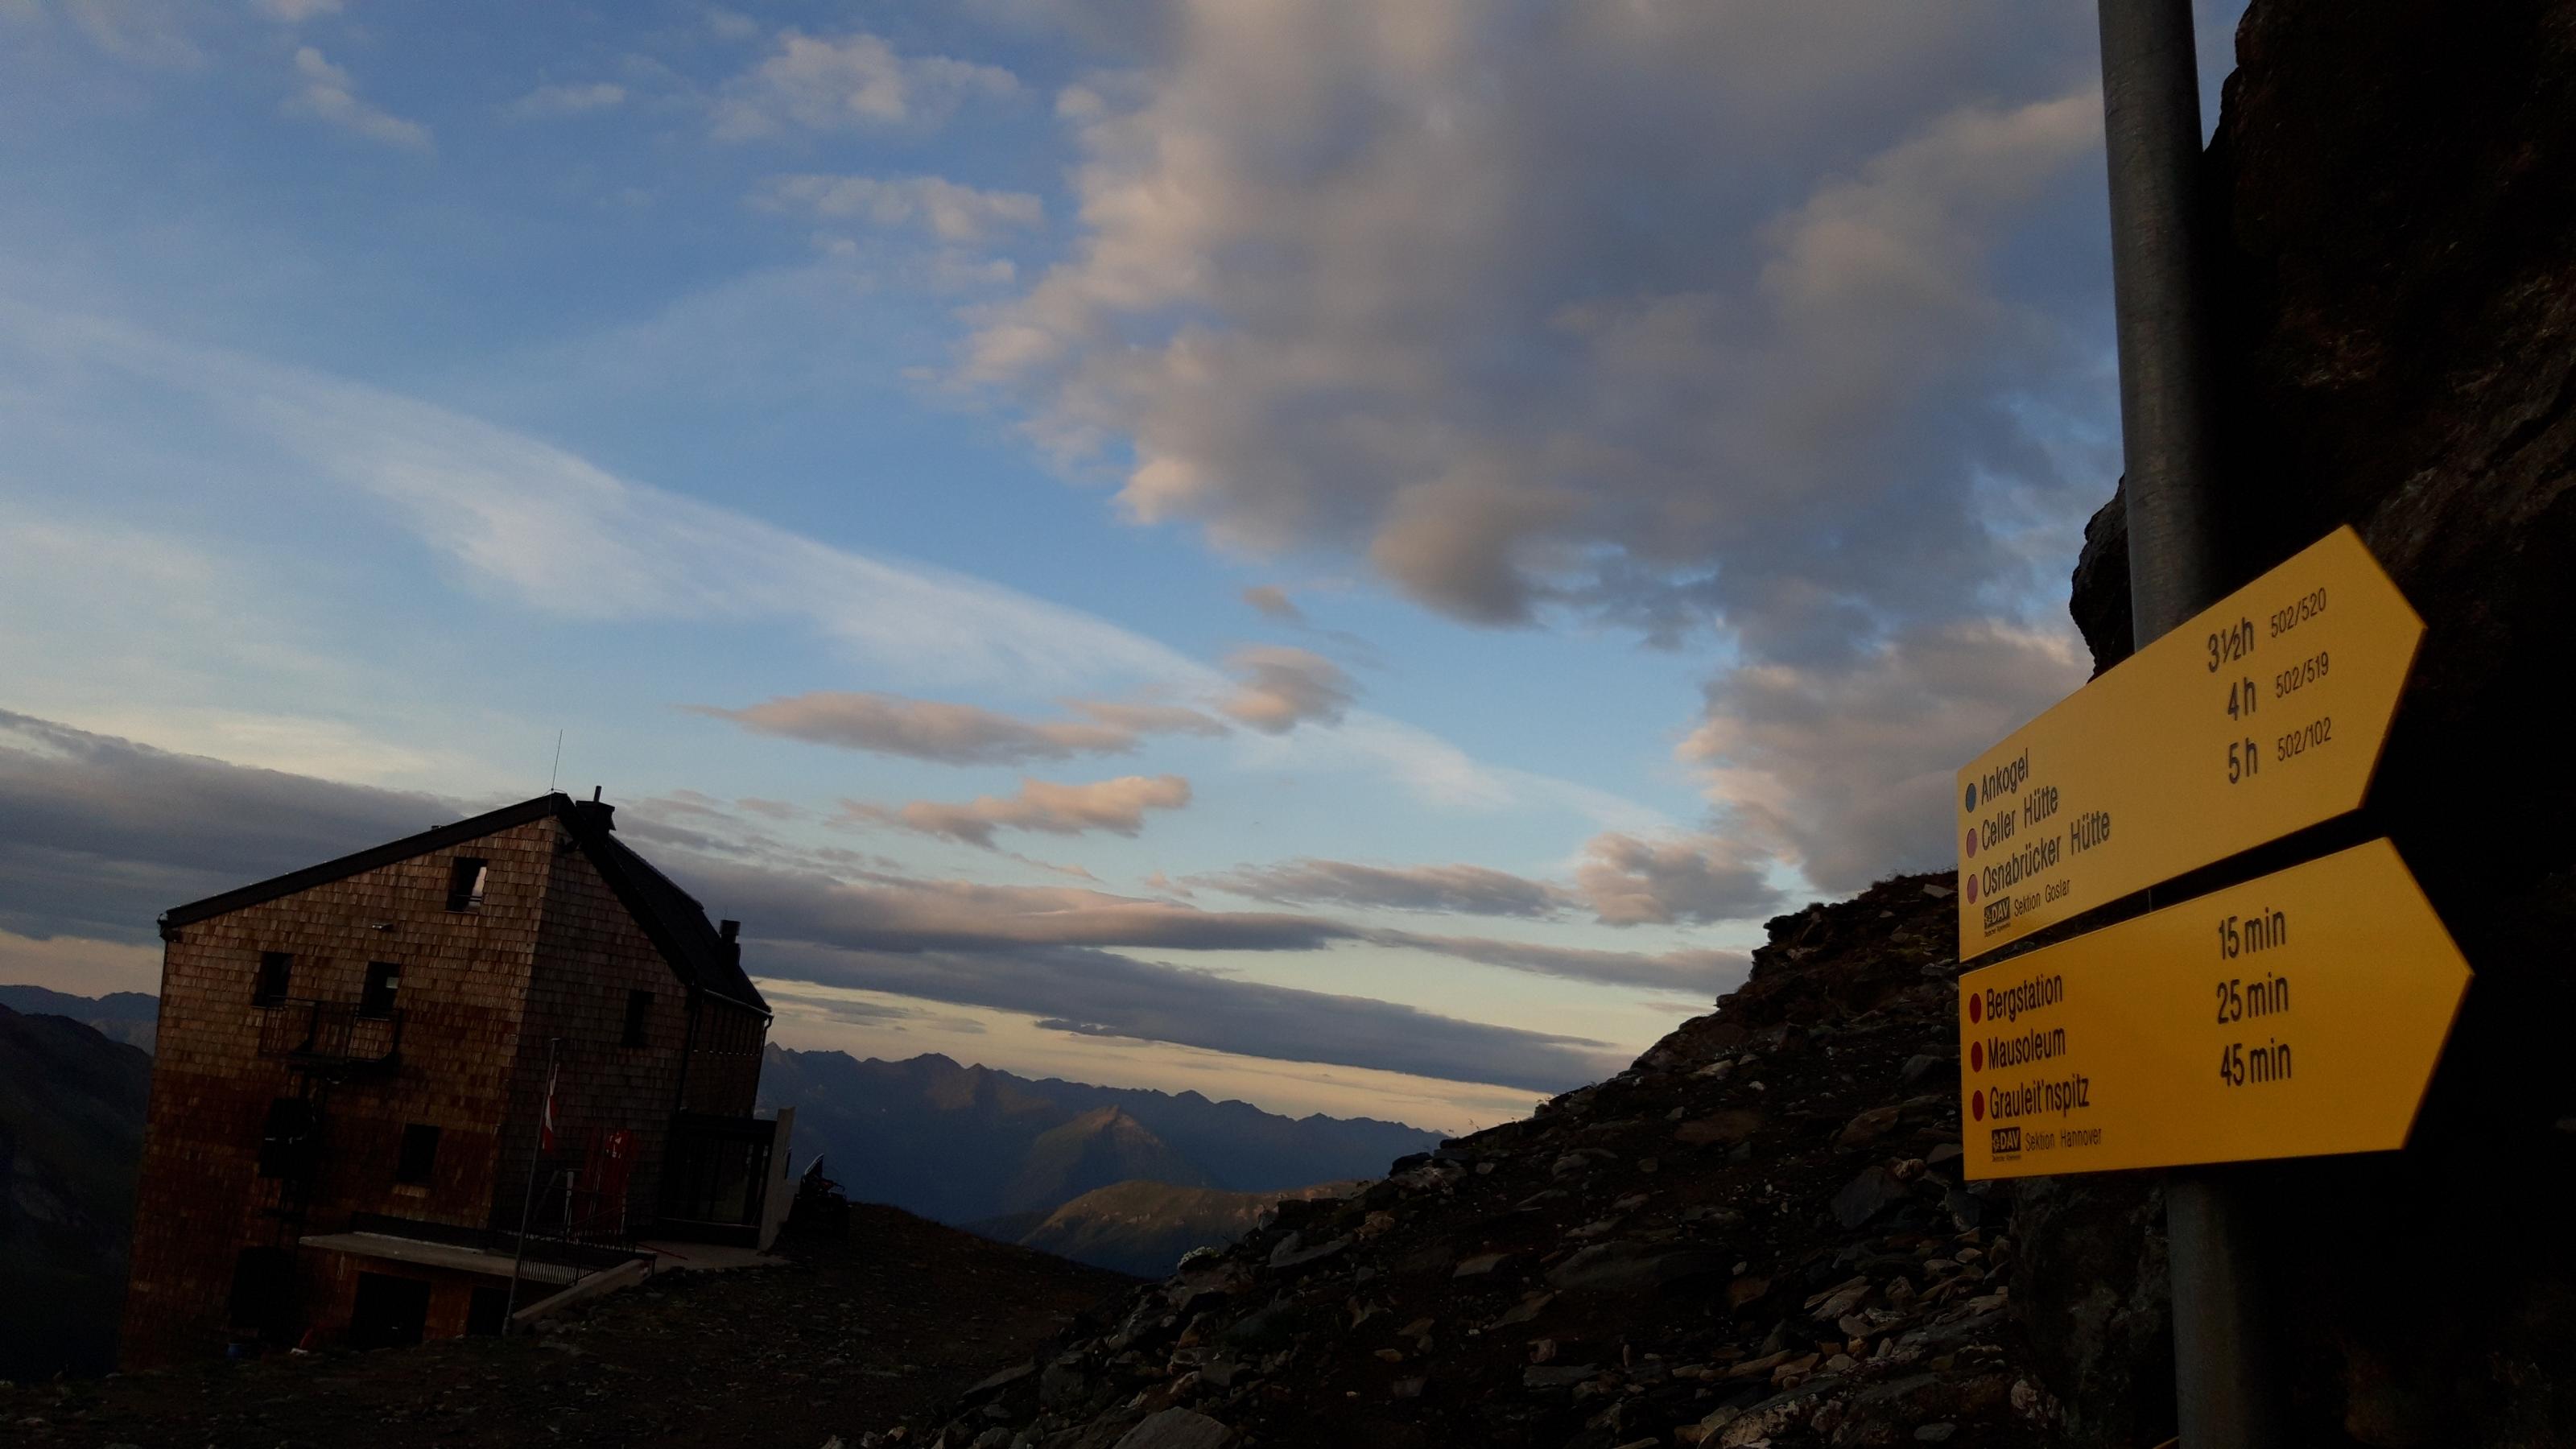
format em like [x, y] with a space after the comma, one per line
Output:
[1756, 1236]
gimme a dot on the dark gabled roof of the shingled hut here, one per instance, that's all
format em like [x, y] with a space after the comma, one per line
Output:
[674, 919]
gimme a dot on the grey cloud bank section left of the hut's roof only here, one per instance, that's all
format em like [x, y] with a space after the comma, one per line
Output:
[99, 837]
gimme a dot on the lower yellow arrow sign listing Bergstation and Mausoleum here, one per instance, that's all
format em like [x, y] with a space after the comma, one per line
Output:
[2289, 1017]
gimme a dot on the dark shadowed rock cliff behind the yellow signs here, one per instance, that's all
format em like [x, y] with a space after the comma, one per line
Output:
[2397, 306]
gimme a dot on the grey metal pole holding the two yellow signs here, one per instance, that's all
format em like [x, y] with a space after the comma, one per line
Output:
[2152, 128]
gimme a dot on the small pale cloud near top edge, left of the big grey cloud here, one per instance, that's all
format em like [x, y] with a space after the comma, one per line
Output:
[857, 81]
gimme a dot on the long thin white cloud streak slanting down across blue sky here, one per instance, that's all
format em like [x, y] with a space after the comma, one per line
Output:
[553, 532]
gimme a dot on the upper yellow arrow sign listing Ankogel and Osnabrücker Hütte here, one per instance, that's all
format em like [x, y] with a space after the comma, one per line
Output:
[2258, 718]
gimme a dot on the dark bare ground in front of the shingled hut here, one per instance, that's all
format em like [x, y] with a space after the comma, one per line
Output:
[854, 1337]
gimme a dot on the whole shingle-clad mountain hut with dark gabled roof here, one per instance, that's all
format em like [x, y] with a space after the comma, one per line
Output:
[354, 1076]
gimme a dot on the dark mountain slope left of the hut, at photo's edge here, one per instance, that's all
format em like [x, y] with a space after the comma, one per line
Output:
[71, 1138]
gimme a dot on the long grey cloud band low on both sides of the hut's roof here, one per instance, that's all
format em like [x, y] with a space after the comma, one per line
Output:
[99, 837]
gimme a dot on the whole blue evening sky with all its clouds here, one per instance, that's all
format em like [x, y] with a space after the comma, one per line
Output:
[1338, 556]
